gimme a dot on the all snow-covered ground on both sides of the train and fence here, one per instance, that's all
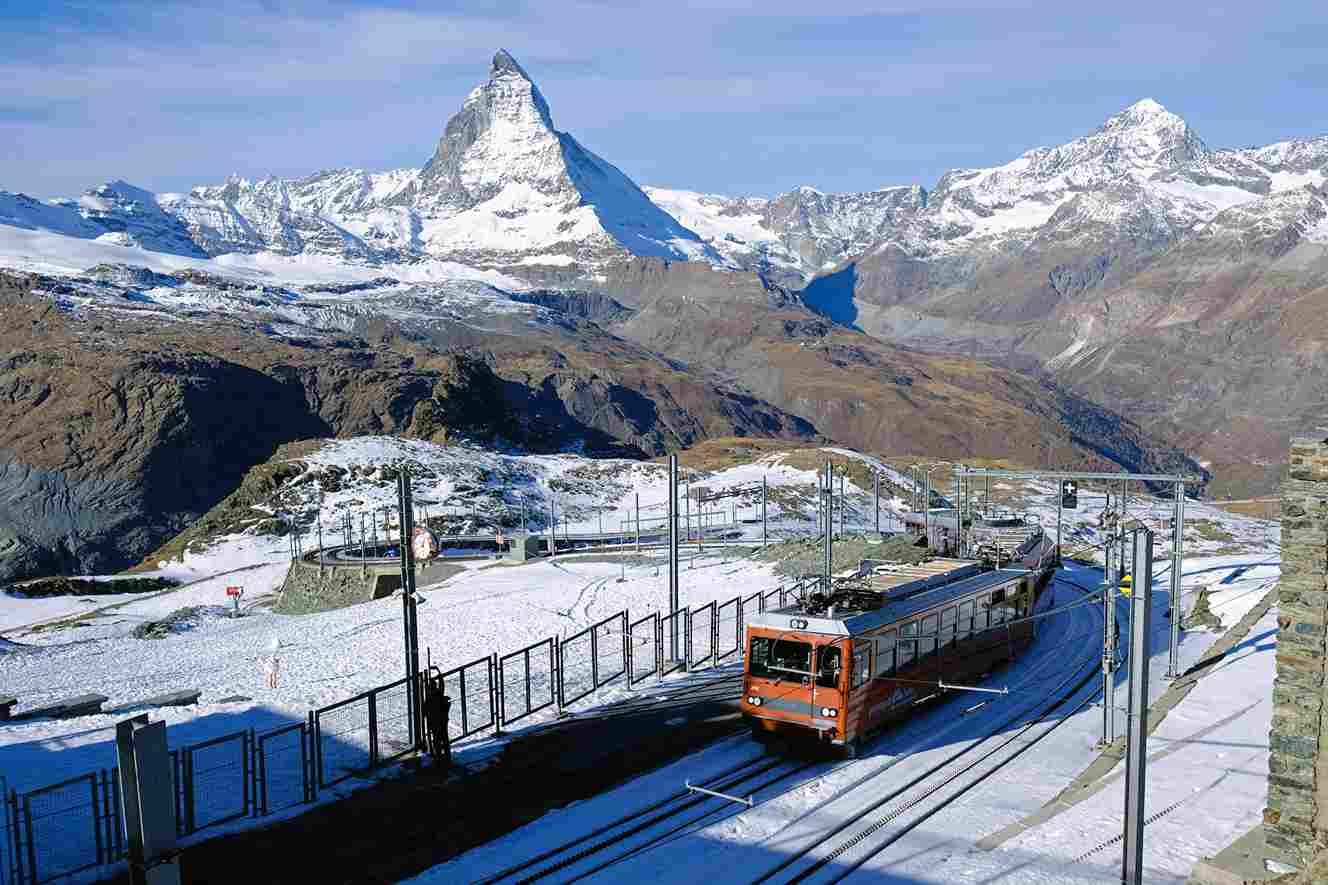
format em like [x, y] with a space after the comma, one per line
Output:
[491, 607]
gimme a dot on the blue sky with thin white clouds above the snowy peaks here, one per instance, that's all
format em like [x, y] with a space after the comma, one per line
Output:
[706, 96]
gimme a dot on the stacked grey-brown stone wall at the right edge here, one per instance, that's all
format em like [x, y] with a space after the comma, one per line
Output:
[1297, 817]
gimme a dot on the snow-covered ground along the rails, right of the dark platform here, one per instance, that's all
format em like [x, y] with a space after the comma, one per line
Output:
[1214, 741]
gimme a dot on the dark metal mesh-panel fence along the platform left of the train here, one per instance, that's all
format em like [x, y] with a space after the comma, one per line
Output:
[78, 825]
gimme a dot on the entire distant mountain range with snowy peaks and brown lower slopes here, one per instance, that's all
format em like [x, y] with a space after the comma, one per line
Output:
[1118, 300]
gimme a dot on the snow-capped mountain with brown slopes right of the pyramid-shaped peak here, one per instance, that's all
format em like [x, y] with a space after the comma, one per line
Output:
[1136, 266]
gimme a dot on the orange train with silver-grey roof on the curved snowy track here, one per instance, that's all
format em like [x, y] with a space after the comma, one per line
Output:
[837, 668]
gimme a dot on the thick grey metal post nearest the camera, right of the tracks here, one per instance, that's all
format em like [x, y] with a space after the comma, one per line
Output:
[1136, 749]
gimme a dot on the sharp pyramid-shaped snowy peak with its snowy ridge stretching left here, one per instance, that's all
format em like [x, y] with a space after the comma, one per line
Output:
[503, 191]
